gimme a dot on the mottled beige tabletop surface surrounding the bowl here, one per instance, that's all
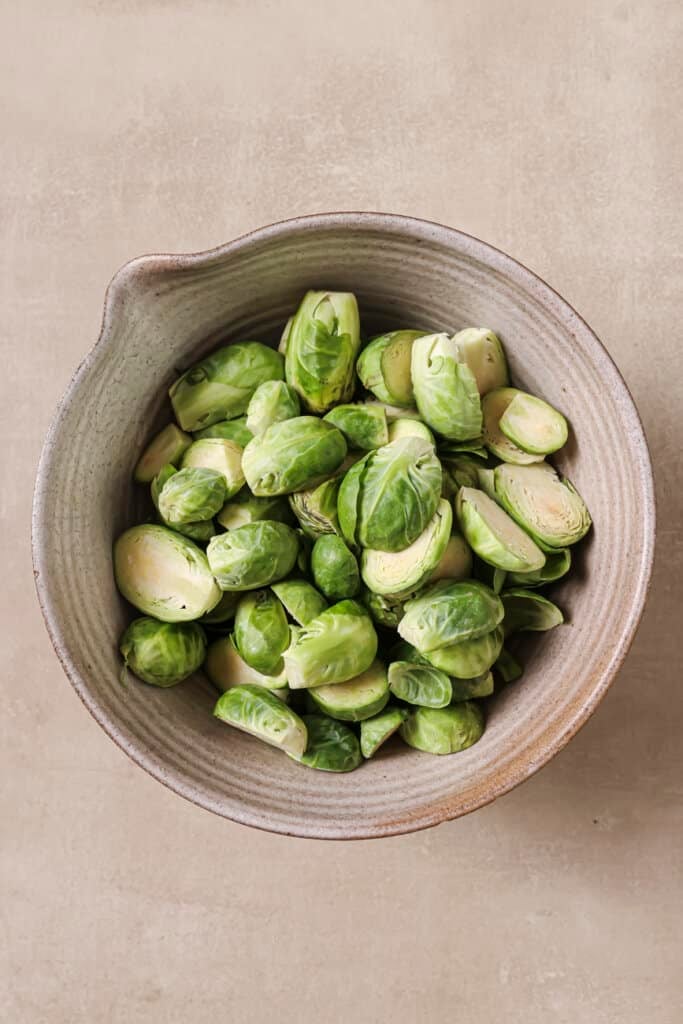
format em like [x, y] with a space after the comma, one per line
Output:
[551, 130]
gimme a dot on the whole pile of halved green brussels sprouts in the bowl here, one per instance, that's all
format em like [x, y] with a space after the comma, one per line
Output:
[347, 535]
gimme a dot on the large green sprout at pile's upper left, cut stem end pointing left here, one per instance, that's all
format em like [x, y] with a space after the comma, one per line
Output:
[221, 386]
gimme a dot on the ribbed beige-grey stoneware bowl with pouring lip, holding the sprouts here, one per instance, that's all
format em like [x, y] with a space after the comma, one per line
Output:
[162, 314]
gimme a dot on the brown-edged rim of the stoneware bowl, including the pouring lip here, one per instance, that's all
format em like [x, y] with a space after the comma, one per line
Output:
[561, 732]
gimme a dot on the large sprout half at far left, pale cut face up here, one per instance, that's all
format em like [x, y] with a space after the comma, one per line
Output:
[164, 575]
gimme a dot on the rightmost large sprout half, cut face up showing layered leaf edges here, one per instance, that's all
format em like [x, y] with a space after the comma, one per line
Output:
[544, 503]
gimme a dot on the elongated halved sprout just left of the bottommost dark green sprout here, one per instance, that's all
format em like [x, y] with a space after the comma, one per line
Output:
[258, 712]
